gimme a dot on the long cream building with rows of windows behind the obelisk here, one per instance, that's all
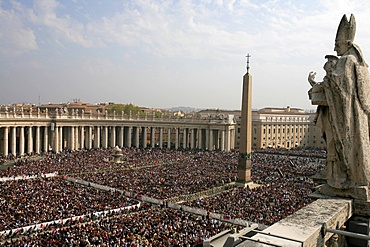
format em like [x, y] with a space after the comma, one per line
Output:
[277, 127]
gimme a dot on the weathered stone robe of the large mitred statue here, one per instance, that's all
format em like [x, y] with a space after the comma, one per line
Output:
[348, 97]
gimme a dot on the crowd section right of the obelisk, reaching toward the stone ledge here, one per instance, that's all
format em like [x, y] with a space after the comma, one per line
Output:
[281, 187]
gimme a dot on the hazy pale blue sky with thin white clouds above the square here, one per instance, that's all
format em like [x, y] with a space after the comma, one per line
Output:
[169, 53]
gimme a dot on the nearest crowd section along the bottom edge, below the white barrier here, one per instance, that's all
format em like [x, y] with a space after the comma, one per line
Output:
[148, 226]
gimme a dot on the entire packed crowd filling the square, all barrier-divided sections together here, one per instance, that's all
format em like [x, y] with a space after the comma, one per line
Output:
[162, 174]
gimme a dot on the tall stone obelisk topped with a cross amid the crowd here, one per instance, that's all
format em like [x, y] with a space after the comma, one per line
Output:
[245, 148]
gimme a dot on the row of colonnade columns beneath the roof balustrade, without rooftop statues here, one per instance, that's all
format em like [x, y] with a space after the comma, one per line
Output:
[20, 138]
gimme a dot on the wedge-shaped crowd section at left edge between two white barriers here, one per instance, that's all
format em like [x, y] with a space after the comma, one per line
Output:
[32, 201]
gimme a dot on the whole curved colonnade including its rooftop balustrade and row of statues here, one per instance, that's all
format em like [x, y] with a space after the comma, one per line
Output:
[39, 131]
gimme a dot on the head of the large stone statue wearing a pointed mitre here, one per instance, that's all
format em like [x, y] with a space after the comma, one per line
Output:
[345, 35]
